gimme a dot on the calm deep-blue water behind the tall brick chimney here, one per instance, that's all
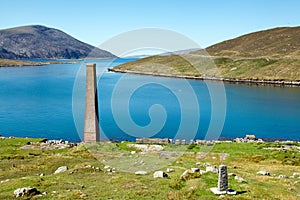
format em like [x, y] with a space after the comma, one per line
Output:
[48, 101]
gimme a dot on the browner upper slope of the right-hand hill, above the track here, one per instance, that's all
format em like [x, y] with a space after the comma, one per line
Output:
[277, 42]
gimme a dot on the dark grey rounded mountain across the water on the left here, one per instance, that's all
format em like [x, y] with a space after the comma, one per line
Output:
[42, 42]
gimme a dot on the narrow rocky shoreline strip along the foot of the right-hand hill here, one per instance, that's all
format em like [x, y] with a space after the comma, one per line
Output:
[227, 80]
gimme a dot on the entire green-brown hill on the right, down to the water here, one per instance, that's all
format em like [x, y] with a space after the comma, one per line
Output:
[264, 56]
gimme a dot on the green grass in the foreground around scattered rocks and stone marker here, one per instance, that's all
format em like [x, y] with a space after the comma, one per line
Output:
[23, 167]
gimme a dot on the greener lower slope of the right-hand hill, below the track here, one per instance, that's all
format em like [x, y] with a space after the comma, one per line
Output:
[286, 69]
